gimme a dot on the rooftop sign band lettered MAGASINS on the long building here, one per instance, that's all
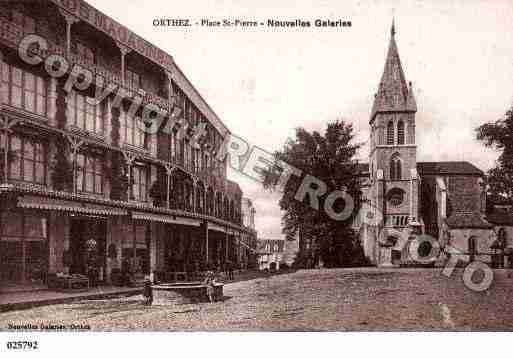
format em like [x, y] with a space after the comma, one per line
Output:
[118, 32]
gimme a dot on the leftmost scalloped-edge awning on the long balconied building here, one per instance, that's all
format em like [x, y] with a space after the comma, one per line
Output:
[50, 204]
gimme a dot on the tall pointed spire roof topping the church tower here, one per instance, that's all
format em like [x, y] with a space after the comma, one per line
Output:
[393, 94]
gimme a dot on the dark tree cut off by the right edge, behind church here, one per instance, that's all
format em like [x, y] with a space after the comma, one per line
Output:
[499, 135]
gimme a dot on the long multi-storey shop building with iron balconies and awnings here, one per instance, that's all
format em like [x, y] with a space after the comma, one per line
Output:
[84, 183]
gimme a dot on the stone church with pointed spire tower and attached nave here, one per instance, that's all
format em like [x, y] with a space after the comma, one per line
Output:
[446, 200]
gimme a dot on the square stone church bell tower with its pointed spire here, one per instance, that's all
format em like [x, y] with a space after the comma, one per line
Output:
[393, 162]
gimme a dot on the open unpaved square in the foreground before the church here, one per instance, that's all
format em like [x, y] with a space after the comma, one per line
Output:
[313, 300]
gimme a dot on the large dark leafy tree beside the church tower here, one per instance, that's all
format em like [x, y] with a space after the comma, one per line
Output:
[328, 157]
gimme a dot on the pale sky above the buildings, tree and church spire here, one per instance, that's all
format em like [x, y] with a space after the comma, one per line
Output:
[263, 83]
